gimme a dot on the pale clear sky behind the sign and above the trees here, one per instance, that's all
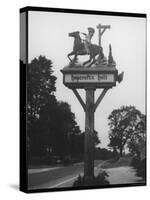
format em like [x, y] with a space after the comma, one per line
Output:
[48, 36]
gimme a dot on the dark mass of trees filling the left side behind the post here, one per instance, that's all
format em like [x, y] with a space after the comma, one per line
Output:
[51, 125]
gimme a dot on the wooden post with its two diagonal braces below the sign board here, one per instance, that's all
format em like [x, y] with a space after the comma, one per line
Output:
[89, 108]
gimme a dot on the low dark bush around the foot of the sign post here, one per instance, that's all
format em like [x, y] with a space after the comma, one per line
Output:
[99, 180]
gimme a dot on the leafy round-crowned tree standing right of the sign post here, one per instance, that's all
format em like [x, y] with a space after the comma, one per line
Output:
[124, 123]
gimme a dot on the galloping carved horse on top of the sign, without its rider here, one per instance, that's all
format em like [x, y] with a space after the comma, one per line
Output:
[79, 49]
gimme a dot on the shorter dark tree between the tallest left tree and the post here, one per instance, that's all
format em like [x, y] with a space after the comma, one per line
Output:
[57, 127]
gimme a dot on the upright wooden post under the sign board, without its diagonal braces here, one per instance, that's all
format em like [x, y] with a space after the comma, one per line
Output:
[89, 133]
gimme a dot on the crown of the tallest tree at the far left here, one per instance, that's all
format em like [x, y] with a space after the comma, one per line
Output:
[40, 85]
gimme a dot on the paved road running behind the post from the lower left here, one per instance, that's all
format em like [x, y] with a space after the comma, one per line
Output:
[56, 177]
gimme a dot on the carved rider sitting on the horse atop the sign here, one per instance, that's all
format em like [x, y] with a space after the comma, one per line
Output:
[88, 37]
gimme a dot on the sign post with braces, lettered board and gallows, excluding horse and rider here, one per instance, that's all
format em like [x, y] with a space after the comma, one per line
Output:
[100, 76]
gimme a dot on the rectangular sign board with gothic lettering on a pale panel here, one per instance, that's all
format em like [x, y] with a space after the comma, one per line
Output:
[82, 78]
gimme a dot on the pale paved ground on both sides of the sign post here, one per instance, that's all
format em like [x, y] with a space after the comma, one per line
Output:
[65, 176]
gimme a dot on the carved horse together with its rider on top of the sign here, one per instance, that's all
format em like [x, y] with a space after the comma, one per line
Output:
[85, 47]
